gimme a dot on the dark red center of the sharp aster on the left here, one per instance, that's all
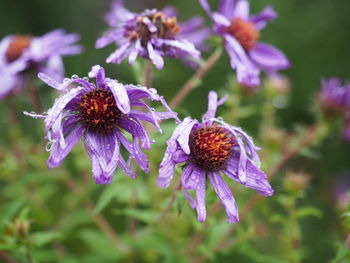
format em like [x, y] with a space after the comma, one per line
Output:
[98, 111]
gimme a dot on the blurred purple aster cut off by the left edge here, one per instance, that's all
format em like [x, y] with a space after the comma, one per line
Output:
[21, 54]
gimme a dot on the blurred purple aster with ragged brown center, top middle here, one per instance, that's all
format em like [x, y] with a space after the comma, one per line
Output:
[152, 35]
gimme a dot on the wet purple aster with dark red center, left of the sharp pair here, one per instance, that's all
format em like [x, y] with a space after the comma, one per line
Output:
[101, 114]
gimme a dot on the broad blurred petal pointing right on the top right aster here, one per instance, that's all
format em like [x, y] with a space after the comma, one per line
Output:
[268, 57]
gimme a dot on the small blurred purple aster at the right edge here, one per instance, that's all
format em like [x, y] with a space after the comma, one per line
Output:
[334, 98]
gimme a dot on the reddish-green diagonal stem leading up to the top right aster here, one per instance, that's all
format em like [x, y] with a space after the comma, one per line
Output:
[200, 73]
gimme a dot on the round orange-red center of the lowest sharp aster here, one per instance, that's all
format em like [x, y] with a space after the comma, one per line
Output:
[211, 147]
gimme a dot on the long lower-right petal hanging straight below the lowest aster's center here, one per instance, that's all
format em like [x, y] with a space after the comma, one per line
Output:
[226, 197]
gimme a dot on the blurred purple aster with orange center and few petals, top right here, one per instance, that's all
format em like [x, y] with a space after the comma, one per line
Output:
[241, 34]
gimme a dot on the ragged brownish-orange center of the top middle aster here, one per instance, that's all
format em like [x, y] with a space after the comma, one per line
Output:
[166, 27]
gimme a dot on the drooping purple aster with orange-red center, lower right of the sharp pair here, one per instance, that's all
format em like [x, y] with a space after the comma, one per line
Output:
[212, 148]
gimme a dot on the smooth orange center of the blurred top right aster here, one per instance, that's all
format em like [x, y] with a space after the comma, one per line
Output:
[245, 32]
